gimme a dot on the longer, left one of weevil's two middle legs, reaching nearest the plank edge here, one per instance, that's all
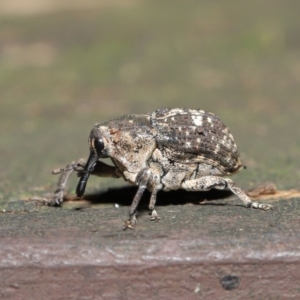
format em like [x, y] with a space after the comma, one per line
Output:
[142, 180]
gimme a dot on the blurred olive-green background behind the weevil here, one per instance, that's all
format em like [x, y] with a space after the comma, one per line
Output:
[64, 67]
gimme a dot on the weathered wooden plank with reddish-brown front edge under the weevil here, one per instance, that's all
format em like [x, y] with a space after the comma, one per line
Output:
[217, 250]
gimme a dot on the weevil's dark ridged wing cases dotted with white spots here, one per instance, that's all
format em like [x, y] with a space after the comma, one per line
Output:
[196, 136]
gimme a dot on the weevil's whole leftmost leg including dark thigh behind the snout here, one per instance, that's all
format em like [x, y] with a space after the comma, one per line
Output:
[100, 169]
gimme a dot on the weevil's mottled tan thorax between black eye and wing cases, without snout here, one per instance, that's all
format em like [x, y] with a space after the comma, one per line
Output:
[129, 141]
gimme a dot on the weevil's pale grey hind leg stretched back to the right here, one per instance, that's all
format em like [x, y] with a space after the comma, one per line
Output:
[209, 182]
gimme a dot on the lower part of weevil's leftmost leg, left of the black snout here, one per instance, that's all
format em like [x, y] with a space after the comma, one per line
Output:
[63, 179]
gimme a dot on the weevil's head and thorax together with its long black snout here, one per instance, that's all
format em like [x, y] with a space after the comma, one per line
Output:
[124, 140]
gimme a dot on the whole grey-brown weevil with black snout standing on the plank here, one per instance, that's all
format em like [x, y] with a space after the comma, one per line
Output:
[168, 149]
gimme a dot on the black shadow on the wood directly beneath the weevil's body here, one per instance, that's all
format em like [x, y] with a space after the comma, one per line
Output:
[124, 195]
